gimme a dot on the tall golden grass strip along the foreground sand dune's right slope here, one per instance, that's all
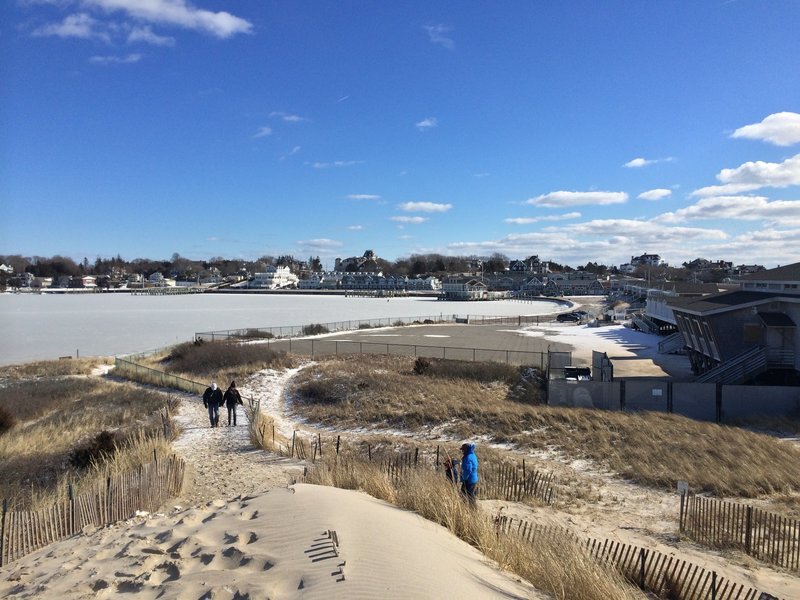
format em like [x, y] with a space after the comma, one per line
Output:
[558, 567]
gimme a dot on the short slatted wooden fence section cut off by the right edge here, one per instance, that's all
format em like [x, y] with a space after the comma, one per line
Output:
[761, 534]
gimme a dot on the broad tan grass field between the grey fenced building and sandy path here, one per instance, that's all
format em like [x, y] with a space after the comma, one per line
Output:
[654, 449]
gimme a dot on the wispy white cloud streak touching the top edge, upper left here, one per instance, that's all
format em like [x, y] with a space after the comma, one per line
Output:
[177, 13]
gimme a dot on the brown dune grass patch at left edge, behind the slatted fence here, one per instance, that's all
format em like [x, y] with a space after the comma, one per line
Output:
[68, 429]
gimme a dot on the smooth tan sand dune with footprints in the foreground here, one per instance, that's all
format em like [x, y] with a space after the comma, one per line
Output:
[275, 545]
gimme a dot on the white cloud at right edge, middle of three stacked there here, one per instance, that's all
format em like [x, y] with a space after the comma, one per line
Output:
[754, 175]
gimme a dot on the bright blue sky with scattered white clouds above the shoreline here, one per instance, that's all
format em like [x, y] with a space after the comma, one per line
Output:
[577, 131]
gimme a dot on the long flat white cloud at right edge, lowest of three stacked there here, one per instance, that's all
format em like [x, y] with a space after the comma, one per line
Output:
[742, 208]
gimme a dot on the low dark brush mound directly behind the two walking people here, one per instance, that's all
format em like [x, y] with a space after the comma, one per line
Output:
[221, 361]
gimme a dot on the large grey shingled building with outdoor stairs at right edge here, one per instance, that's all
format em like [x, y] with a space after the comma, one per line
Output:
[754, 327]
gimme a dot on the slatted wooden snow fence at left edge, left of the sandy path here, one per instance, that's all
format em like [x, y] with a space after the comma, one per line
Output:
[114, 499]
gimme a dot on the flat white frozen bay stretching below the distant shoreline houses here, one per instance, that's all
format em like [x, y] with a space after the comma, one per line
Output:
[46, 326]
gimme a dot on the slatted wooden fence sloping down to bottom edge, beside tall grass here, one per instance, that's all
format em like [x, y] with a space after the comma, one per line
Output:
[659, 574]
